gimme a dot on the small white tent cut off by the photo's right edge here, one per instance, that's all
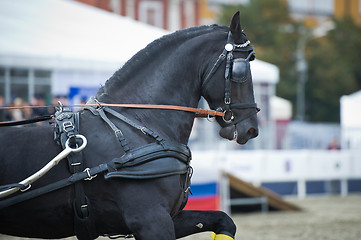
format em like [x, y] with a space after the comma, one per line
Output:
[351, 120]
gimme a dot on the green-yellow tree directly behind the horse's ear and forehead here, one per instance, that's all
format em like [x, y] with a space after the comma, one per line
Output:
[271, 31]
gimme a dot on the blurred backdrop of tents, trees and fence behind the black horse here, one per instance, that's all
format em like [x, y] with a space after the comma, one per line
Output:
[307, 80]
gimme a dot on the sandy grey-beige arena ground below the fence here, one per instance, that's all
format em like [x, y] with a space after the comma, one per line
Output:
[323, 218]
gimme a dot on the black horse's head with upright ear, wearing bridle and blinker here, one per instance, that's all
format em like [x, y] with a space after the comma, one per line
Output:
[227, 86]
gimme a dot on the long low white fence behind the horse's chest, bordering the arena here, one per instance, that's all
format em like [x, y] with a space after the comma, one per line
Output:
[267, 166]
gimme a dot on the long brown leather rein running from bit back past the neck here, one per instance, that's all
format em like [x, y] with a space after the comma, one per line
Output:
[200, 113]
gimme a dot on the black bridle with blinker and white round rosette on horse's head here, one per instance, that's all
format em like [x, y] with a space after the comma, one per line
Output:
[237, 70]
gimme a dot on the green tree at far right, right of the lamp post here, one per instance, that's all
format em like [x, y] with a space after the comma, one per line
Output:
[334, 70]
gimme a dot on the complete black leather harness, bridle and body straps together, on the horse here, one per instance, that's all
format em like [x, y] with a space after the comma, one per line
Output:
[158, 159]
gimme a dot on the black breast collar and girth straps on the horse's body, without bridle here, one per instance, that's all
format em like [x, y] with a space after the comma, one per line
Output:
[159, 159]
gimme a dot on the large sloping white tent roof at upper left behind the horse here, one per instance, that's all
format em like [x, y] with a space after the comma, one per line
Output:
[61, 34]
